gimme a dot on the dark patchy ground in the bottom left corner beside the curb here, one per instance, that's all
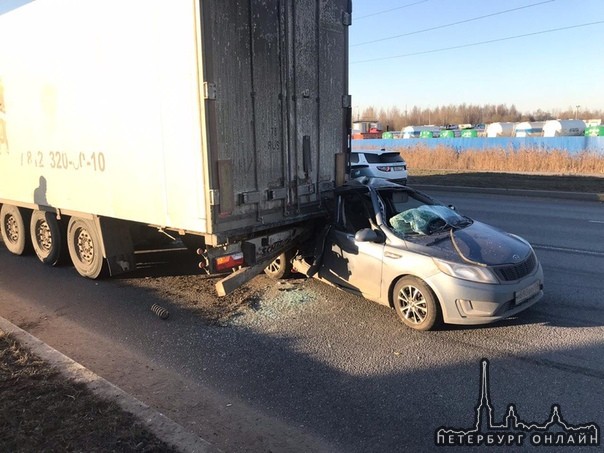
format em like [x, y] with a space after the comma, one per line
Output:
[42, 411]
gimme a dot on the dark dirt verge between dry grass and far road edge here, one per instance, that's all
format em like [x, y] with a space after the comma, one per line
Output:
[565, 183]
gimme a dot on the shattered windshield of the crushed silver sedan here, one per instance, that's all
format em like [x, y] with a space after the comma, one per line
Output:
[409, 213]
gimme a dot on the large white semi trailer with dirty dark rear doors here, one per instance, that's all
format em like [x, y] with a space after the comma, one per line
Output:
[224, 122]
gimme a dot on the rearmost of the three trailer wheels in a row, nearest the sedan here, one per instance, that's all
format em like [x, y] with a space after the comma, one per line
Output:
[85, 248]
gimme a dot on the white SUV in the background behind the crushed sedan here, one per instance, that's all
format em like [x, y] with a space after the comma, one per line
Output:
[378, 164]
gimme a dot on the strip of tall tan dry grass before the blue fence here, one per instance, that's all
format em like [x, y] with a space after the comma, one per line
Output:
[505, 160]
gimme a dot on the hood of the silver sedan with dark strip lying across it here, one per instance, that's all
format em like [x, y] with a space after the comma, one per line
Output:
[477, 243]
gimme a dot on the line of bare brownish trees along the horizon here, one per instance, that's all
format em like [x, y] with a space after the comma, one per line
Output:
[396, 119]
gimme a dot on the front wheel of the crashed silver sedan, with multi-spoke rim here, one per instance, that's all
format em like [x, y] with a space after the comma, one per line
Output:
[415, 304]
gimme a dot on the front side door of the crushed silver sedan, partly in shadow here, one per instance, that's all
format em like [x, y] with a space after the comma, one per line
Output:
[349, 263]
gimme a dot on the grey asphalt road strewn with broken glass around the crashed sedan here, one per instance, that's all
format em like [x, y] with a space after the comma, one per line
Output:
[314, 369]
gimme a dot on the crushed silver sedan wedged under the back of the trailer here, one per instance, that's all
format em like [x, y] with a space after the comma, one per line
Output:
[398, 247]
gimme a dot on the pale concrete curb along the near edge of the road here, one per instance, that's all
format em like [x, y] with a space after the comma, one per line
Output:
[163, 427]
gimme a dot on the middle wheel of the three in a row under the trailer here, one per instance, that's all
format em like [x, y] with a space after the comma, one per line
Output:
[47, 237]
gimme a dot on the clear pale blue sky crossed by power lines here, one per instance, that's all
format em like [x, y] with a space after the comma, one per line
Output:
[534, 54]
